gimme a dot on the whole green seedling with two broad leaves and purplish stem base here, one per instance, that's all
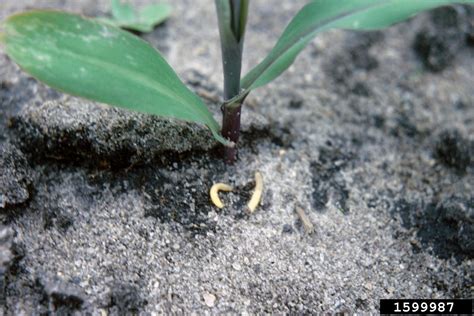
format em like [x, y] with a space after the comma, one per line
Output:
[98, 61]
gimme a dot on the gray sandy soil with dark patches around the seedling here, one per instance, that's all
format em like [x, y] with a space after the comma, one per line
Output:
[102, 214]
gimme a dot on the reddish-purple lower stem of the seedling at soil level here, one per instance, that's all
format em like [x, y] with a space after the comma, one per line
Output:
[231, 131]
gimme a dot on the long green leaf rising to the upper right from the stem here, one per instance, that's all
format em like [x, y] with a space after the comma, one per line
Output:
[321, 15]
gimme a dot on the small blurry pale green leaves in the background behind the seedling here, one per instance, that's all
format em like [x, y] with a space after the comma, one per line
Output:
[144, 20]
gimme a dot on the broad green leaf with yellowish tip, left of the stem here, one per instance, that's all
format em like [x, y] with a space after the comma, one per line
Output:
[96, 61]
